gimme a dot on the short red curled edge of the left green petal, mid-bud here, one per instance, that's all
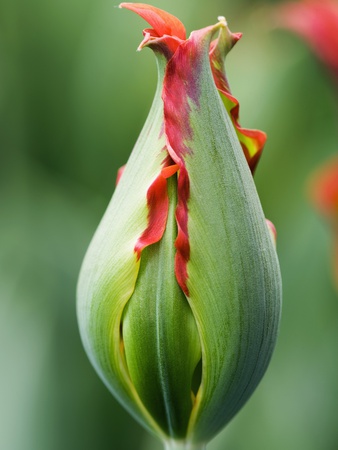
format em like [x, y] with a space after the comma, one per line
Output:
[158, 203]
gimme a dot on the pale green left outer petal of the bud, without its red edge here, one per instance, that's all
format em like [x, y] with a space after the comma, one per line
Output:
[110, 268]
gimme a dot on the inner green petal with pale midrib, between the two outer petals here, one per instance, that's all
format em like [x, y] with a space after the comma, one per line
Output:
[161, 341]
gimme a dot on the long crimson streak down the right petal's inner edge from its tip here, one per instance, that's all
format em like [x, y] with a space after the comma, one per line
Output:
[180, 89]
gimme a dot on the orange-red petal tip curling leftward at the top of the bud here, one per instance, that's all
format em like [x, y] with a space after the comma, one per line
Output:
[162, 22]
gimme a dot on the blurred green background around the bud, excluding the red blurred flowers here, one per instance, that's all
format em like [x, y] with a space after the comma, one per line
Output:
[74, 95]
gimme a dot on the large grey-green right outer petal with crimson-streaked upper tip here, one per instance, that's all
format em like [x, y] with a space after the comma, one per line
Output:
[233, 278]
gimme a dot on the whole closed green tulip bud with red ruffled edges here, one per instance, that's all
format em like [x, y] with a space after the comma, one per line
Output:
[179, 292]
